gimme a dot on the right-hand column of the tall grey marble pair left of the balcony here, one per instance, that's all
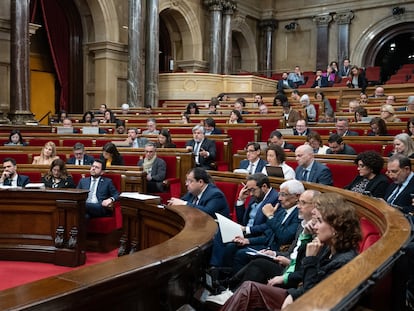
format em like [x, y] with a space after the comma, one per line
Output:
[152, 53]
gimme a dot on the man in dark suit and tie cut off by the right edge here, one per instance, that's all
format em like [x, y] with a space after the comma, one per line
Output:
[399, 192]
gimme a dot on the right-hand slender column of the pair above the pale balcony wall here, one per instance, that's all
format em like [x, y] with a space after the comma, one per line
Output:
[228, 10]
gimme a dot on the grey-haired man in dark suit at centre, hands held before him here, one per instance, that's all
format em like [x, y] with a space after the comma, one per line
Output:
[204, 149]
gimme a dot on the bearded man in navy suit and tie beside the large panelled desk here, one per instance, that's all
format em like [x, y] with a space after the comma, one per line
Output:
[102, 192]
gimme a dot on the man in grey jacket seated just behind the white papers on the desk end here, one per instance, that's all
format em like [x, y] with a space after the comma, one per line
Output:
[155, 168]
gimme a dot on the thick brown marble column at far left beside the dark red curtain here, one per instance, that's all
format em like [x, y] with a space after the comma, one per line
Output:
[19, 63]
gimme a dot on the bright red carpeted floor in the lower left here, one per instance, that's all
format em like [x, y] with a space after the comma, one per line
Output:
[15, 273]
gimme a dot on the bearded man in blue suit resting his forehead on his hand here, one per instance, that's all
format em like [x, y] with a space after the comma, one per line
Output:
[252, 219]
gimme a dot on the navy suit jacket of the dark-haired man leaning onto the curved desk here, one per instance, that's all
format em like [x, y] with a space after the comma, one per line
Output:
[212, 201]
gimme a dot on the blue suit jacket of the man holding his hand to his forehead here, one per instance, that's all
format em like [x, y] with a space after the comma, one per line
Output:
[259, 224]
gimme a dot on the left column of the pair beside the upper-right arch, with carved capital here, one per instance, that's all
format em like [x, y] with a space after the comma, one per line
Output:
[322, 40]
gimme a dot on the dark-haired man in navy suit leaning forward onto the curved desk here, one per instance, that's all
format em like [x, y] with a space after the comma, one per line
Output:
[203, 194]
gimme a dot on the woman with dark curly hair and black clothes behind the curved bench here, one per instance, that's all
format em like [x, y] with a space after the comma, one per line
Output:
[370, 180]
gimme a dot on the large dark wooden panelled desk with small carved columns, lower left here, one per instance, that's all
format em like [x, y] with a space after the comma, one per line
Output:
[30, 220]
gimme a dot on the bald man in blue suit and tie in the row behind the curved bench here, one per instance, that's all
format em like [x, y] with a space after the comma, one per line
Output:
[310, 170]
